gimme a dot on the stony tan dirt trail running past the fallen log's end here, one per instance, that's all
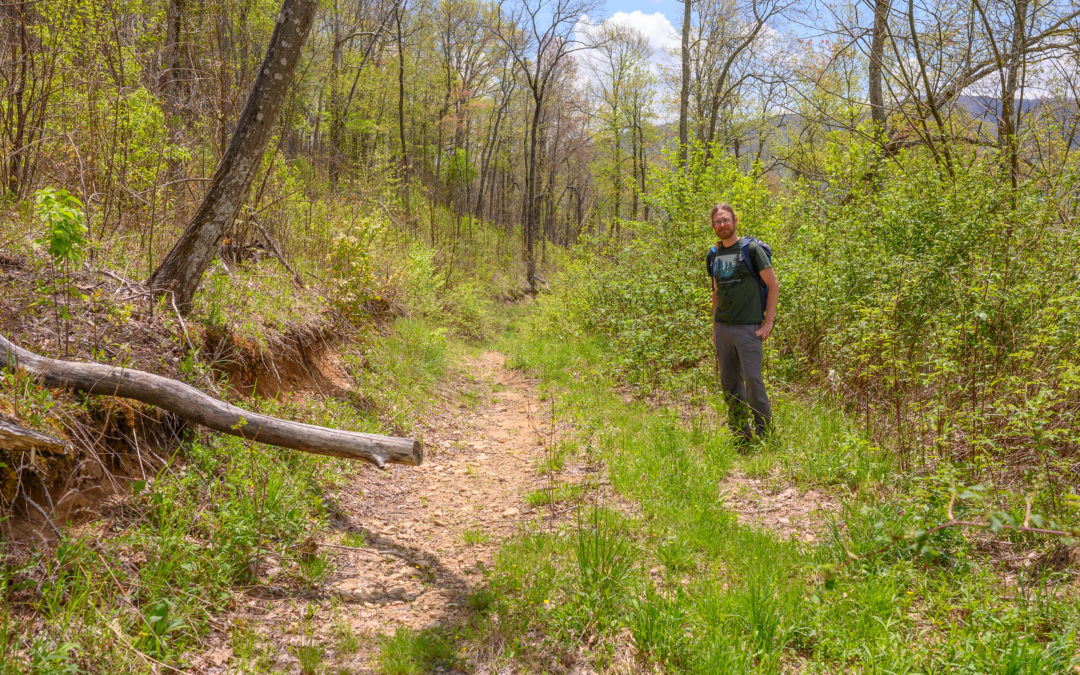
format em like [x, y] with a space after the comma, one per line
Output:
[427, 533]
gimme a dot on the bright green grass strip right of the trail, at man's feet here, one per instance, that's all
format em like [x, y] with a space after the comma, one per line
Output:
[690, 589]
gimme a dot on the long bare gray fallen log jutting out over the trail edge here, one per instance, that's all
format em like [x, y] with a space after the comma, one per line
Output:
[198, 408]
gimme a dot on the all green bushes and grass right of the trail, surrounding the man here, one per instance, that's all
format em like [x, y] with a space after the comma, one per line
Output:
[924, 371]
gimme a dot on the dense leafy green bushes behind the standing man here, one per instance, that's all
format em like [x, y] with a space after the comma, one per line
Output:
[942, 312]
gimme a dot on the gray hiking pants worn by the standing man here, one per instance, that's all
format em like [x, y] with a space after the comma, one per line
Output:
[739, 353]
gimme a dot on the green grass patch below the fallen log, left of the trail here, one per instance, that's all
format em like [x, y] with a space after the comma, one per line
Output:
[196, 532]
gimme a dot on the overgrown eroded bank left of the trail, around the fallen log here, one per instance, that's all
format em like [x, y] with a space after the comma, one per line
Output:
[178, 536]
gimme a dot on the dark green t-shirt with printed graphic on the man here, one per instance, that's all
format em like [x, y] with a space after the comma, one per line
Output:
[738, 293]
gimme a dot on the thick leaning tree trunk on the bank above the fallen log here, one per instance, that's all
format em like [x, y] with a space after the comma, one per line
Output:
[185, 265]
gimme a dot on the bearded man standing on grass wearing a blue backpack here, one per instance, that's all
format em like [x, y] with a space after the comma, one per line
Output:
[740, 323]
